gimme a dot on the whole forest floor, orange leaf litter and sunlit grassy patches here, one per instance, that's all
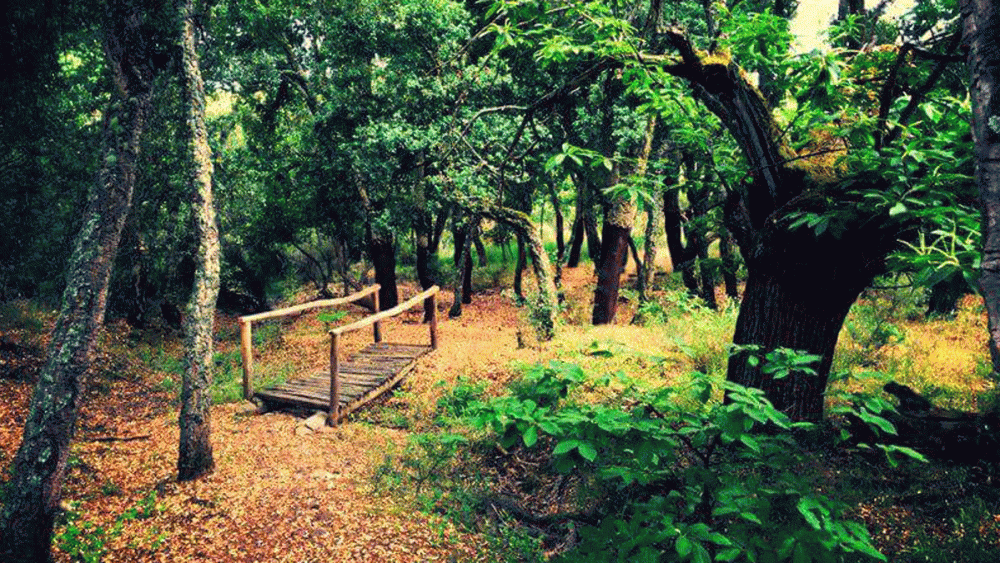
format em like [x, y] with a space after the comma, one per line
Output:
[376, 489]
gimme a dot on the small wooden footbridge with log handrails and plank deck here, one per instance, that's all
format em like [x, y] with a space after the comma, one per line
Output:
[349, 384]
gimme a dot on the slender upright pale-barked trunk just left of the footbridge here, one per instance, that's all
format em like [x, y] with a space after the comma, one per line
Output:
[195, 453]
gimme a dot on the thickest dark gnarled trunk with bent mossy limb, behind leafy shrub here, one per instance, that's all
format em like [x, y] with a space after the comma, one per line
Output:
[800, 285]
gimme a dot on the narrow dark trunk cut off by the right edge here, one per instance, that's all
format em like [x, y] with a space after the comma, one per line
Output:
[982, 31]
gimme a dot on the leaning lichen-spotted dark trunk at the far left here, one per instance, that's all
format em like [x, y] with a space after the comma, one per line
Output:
[32, 496]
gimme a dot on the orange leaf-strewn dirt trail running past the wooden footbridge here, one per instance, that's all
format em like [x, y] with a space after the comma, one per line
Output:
[277, 493]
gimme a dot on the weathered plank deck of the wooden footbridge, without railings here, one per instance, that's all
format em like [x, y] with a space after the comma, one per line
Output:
[363, 377]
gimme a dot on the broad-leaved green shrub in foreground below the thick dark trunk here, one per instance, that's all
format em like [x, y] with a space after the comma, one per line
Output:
[717, 482]
